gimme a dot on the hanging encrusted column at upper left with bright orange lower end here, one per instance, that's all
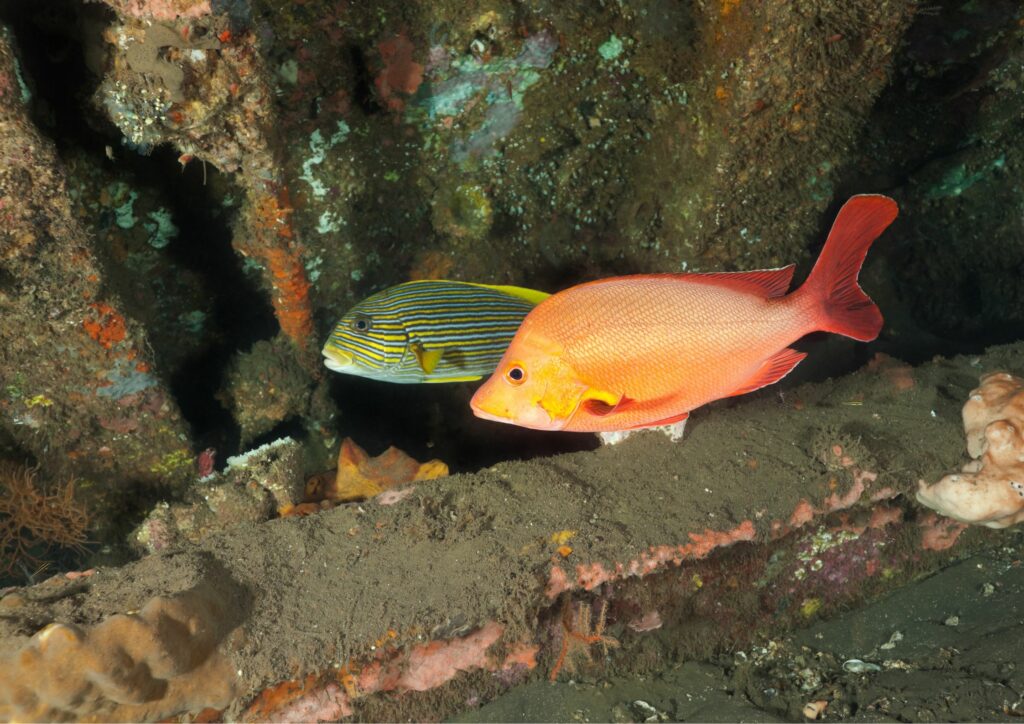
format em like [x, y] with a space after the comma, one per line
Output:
[207, 92]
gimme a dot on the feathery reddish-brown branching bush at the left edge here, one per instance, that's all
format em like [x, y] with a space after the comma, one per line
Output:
[35, 518]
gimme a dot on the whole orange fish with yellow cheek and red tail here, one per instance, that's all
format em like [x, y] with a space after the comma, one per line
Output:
[638, 352]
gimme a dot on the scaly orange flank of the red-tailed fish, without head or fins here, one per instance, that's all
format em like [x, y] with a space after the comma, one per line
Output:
[673, 330]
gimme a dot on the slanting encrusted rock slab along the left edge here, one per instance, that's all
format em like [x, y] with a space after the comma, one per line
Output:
[80, 389]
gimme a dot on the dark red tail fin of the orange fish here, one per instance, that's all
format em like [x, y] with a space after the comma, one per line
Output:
[833, 284]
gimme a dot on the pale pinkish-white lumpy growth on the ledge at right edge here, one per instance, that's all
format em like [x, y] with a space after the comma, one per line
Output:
[991, 490]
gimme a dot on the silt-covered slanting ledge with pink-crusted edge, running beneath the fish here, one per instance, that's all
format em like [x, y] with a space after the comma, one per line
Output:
[775, 510]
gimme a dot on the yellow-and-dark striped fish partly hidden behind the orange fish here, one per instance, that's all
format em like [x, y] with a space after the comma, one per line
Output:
[430, 331]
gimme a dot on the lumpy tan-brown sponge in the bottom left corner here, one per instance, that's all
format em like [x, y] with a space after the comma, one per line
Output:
[159, 662]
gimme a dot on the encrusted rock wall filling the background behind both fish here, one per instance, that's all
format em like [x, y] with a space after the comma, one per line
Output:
[194, 191]
